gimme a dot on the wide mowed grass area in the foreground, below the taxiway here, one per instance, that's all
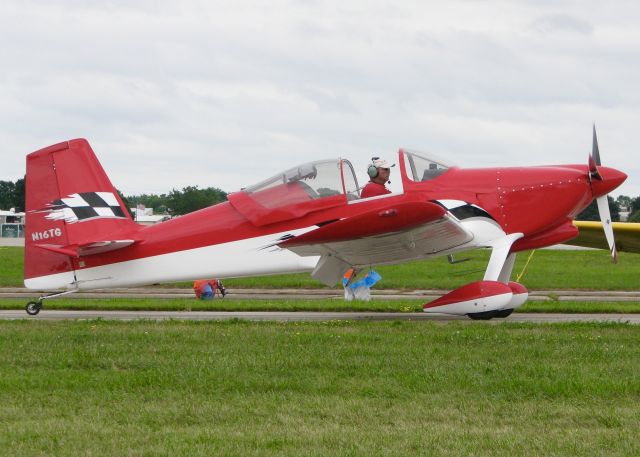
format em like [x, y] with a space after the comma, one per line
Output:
[321, 389]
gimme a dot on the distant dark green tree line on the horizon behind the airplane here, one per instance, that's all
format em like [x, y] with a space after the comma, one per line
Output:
[191, 198]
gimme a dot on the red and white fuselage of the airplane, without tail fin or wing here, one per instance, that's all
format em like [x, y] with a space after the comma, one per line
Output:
[219, 241]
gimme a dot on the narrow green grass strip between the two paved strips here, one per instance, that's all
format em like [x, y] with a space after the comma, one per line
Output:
[292, 304]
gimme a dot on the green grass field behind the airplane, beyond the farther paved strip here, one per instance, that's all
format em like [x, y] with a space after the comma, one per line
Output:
[547, 269]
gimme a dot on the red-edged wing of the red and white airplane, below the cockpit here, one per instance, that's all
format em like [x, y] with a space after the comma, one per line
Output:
[401, 232]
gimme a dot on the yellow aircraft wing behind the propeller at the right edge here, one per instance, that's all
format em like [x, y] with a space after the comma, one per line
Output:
[626, 234]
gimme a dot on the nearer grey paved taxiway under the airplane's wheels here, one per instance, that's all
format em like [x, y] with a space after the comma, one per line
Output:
[305, 316]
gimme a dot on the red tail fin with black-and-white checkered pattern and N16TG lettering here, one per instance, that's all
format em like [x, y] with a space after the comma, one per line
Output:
[70, 205]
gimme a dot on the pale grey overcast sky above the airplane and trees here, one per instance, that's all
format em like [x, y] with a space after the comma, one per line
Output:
[177, 93]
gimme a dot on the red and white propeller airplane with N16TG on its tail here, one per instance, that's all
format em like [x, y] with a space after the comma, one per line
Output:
[80, 236]
